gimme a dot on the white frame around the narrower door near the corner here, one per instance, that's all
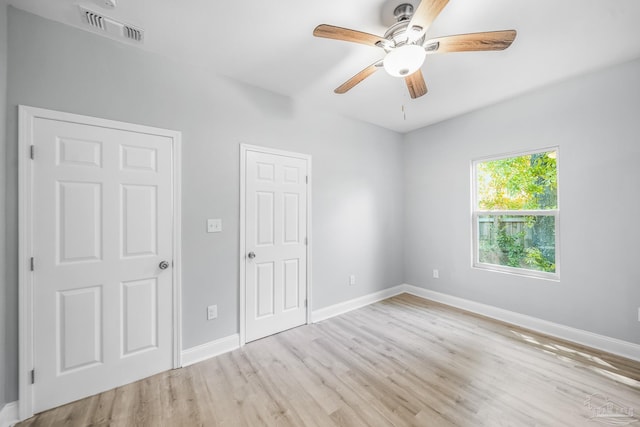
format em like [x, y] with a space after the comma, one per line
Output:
[244, 148]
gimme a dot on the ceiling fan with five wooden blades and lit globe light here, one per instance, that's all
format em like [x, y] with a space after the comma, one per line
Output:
[406, 45]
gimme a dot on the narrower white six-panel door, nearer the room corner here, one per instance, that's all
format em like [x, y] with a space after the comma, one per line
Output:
[275, 222]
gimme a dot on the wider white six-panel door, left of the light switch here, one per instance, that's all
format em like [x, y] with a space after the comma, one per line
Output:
[102, 226]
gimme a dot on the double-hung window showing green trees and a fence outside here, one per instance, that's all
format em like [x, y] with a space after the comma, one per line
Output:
[515, 214]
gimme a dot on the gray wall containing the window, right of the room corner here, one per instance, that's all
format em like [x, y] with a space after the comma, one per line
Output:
[595, 122]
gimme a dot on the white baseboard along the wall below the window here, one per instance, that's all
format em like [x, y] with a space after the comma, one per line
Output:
[589, 339]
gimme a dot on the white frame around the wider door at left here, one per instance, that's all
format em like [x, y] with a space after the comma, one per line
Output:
[27, 115]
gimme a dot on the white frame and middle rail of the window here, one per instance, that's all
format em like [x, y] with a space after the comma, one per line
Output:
[476, 213]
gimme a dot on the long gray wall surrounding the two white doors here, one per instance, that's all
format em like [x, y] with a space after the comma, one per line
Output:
[357, 209]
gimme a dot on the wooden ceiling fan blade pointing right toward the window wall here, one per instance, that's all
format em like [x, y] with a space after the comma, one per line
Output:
[491, 40]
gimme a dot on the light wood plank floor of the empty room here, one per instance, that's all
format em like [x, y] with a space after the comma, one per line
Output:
[401, 362]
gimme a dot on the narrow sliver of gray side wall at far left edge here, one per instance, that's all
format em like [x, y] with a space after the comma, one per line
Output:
[3, 133]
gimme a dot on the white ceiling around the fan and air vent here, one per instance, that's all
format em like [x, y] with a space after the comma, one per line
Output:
[269, 44]
